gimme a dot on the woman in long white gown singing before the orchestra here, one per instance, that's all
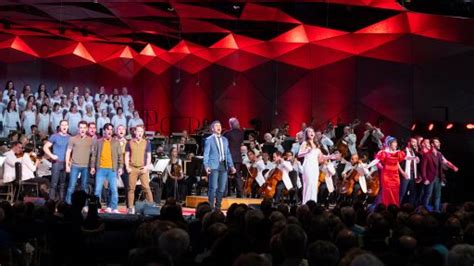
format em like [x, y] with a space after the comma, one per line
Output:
[309, 149]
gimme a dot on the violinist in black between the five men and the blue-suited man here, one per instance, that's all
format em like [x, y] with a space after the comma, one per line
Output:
[175, 181]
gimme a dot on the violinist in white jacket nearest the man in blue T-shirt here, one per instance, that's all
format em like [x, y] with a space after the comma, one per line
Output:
[29, 164]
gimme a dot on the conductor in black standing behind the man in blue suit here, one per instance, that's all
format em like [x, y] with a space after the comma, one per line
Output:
[236, 137]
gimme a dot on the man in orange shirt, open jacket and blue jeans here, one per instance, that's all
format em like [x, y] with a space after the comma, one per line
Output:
[108, 160]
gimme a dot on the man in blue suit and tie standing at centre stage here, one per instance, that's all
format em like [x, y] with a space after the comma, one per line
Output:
[217, 161]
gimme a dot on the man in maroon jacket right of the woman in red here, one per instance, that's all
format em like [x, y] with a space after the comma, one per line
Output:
[431, 175]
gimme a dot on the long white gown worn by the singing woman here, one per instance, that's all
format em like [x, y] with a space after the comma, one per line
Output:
[311, 175]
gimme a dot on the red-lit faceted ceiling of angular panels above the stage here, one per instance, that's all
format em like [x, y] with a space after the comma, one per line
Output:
[238, 35]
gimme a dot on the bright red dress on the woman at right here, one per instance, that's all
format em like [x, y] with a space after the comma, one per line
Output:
[390, 180]
